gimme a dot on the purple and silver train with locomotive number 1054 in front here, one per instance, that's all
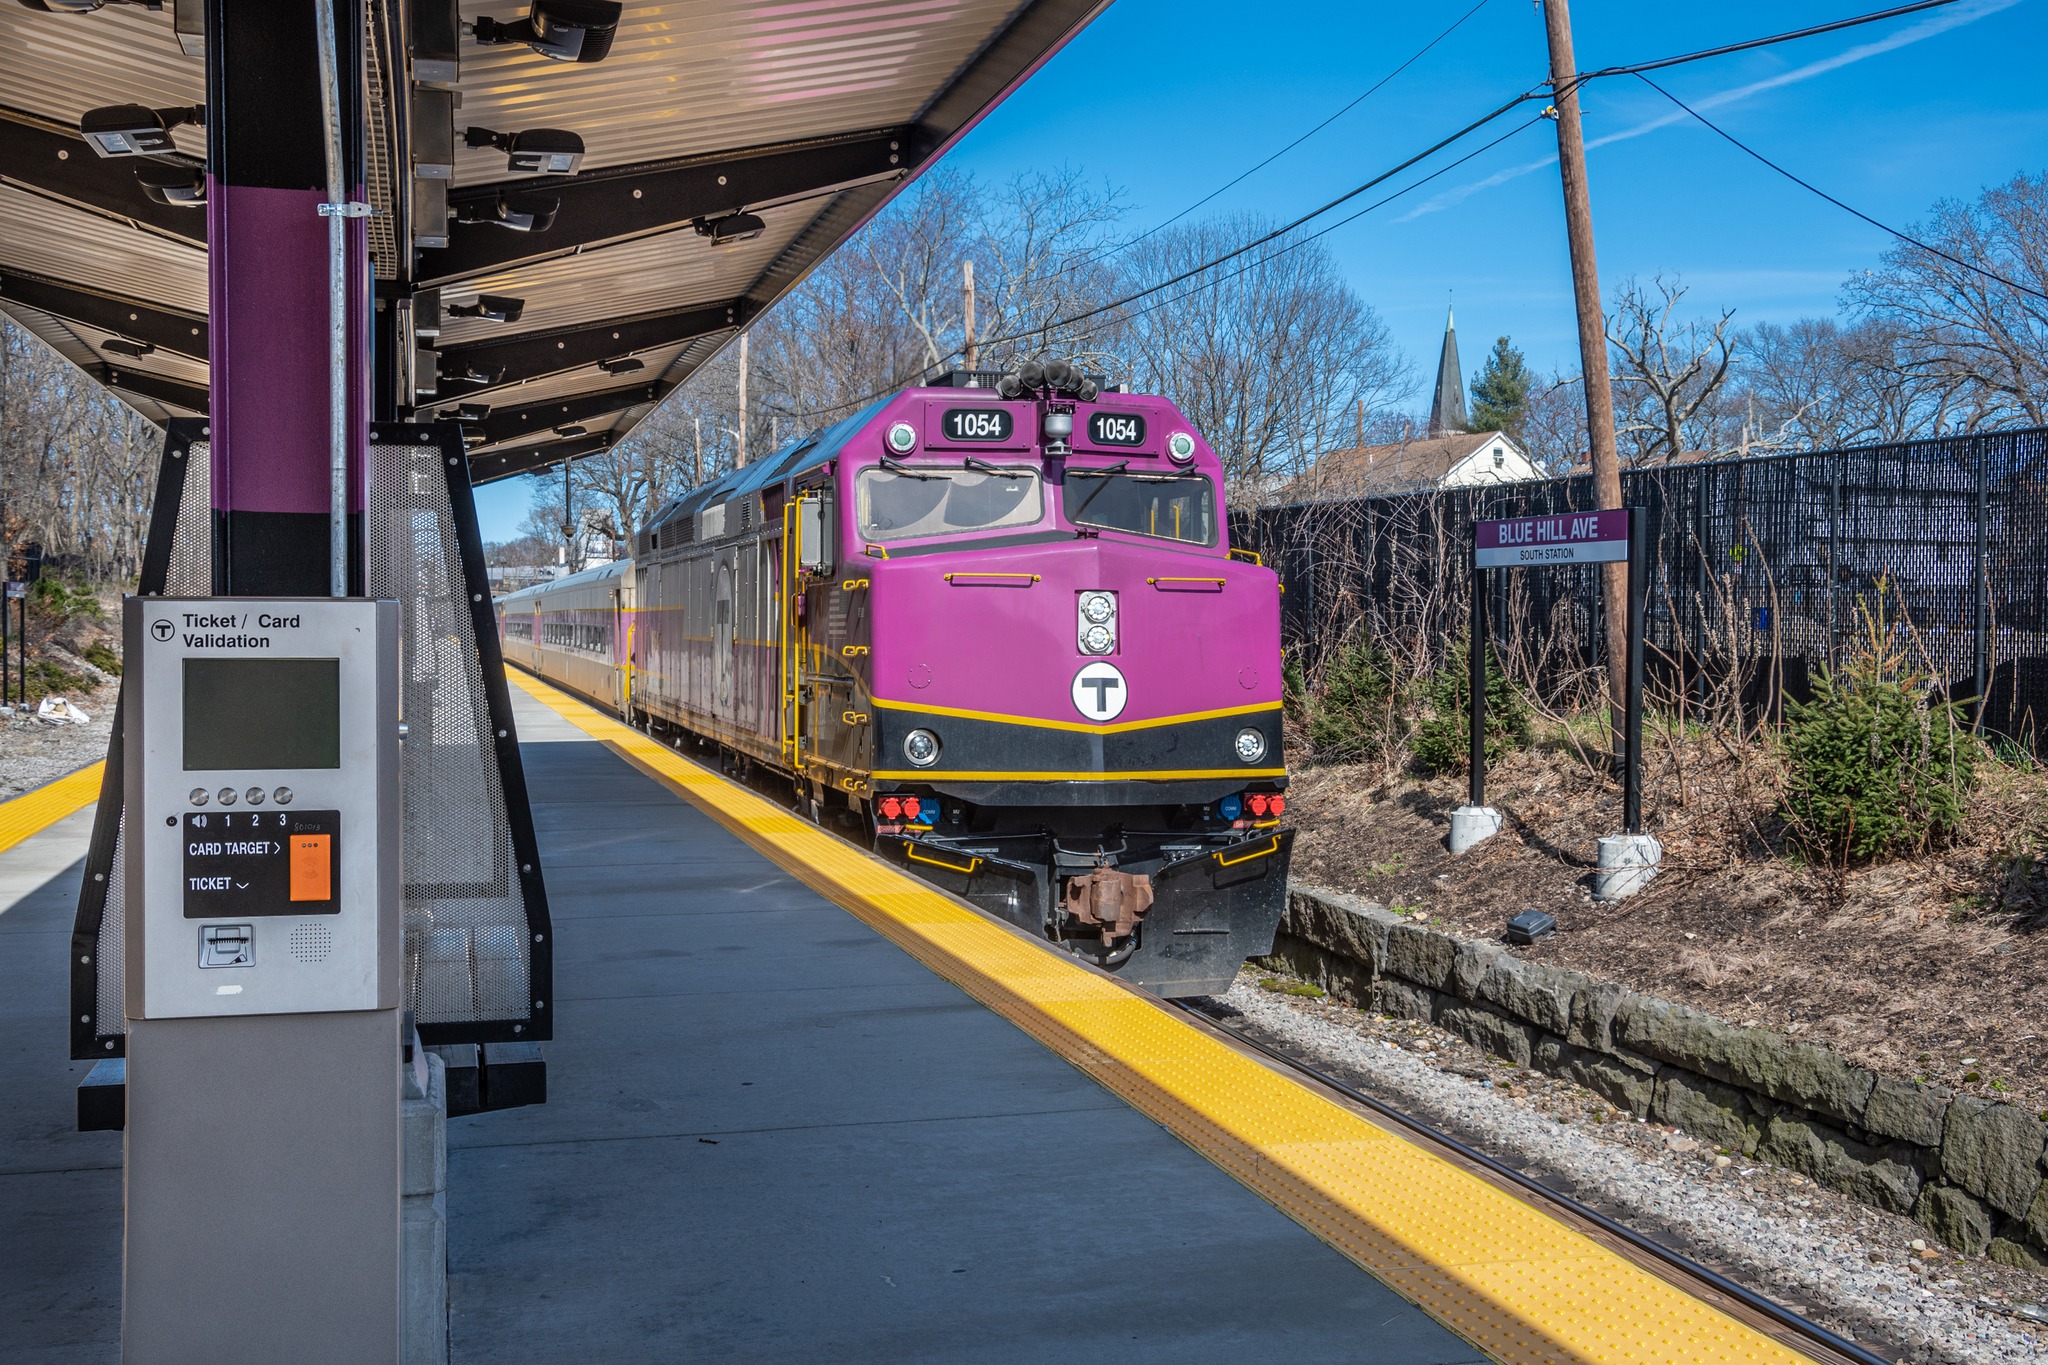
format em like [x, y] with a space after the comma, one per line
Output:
[994, 629]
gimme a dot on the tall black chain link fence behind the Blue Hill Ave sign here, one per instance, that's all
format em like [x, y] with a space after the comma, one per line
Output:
[1762, 574]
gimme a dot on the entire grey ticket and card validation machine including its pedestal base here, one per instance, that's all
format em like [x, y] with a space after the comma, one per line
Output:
[265, 932]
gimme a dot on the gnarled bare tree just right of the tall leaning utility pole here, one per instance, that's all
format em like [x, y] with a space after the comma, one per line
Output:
[1668, 371]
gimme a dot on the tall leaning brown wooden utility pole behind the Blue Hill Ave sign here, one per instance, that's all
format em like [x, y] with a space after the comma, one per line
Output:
[1592, 347]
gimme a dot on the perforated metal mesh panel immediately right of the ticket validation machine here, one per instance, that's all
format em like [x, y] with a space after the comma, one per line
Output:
[468, 955]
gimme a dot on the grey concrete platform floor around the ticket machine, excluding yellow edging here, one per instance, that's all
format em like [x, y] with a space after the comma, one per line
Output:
[771, 1137]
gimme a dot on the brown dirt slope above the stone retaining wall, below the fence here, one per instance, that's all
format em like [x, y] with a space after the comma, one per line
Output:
[1924, 969]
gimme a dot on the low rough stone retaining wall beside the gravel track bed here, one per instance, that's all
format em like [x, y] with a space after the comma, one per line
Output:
[1973, 1172]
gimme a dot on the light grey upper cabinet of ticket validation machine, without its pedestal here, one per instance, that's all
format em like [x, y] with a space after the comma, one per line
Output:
[261, 760]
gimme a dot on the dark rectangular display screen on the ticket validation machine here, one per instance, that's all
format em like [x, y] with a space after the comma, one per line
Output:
[263, 713]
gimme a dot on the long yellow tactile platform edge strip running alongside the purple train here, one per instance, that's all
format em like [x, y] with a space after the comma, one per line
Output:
[1494, 1270]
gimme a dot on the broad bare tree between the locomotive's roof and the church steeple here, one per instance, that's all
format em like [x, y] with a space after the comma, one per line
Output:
[1271, 355]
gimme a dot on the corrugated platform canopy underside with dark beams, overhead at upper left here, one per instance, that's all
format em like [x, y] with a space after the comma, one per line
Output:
[806, 116]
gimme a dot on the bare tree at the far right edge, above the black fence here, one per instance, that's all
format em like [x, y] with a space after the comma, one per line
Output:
[1963, 333]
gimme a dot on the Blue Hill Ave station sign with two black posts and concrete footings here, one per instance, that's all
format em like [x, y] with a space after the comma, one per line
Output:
[1627, 861]
